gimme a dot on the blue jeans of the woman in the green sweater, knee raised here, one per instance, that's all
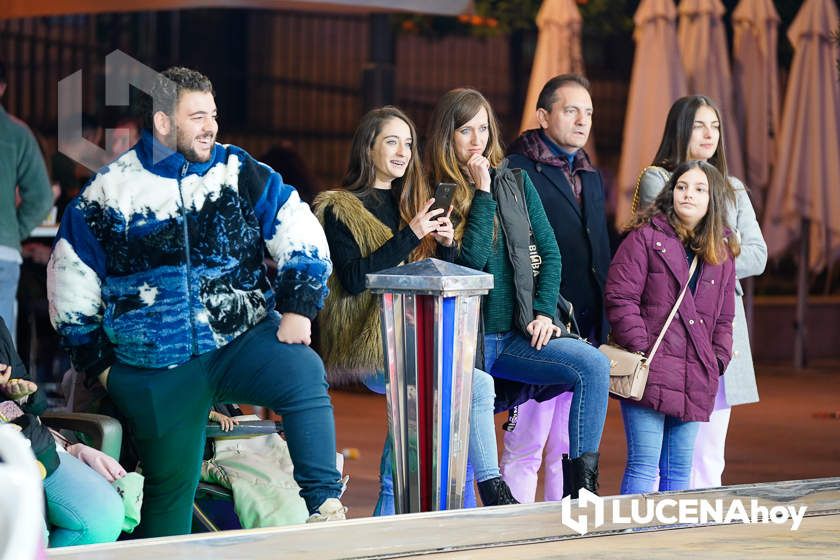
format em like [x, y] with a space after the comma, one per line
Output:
[570, 363]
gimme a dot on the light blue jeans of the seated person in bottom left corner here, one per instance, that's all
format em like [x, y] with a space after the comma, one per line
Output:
[82, 508]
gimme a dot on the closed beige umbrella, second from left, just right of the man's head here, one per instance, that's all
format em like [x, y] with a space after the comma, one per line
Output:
[656, 82]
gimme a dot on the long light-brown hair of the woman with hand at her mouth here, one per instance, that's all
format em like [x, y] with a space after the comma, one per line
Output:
[453, 110]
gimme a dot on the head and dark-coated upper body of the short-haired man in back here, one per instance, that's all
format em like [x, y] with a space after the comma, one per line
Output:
[572, 192]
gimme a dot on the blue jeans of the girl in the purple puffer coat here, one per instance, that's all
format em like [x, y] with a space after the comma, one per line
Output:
[657, 445]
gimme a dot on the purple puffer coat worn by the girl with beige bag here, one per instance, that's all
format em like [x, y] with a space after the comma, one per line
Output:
[643, 283]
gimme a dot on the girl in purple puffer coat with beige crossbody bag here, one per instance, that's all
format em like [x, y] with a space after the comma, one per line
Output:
[685, 222]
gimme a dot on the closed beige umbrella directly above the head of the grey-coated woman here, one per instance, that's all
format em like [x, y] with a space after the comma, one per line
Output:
[705, 59]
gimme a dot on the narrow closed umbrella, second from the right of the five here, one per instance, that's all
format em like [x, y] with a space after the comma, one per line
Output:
[755, 71]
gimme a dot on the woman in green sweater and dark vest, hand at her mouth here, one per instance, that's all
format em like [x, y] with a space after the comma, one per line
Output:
[525, 349]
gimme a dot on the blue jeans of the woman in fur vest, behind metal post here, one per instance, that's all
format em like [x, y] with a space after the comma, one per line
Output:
[483, 452]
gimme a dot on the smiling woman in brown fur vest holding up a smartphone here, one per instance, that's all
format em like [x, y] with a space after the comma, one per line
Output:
[381, 218]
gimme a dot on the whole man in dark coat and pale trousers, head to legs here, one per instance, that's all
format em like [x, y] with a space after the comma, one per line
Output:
[572, 193]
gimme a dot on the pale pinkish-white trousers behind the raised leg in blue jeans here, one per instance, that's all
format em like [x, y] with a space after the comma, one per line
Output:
[540, 427]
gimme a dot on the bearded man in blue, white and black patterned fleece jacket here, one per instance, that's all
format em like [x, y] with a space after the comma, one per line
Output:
[157, 289]
